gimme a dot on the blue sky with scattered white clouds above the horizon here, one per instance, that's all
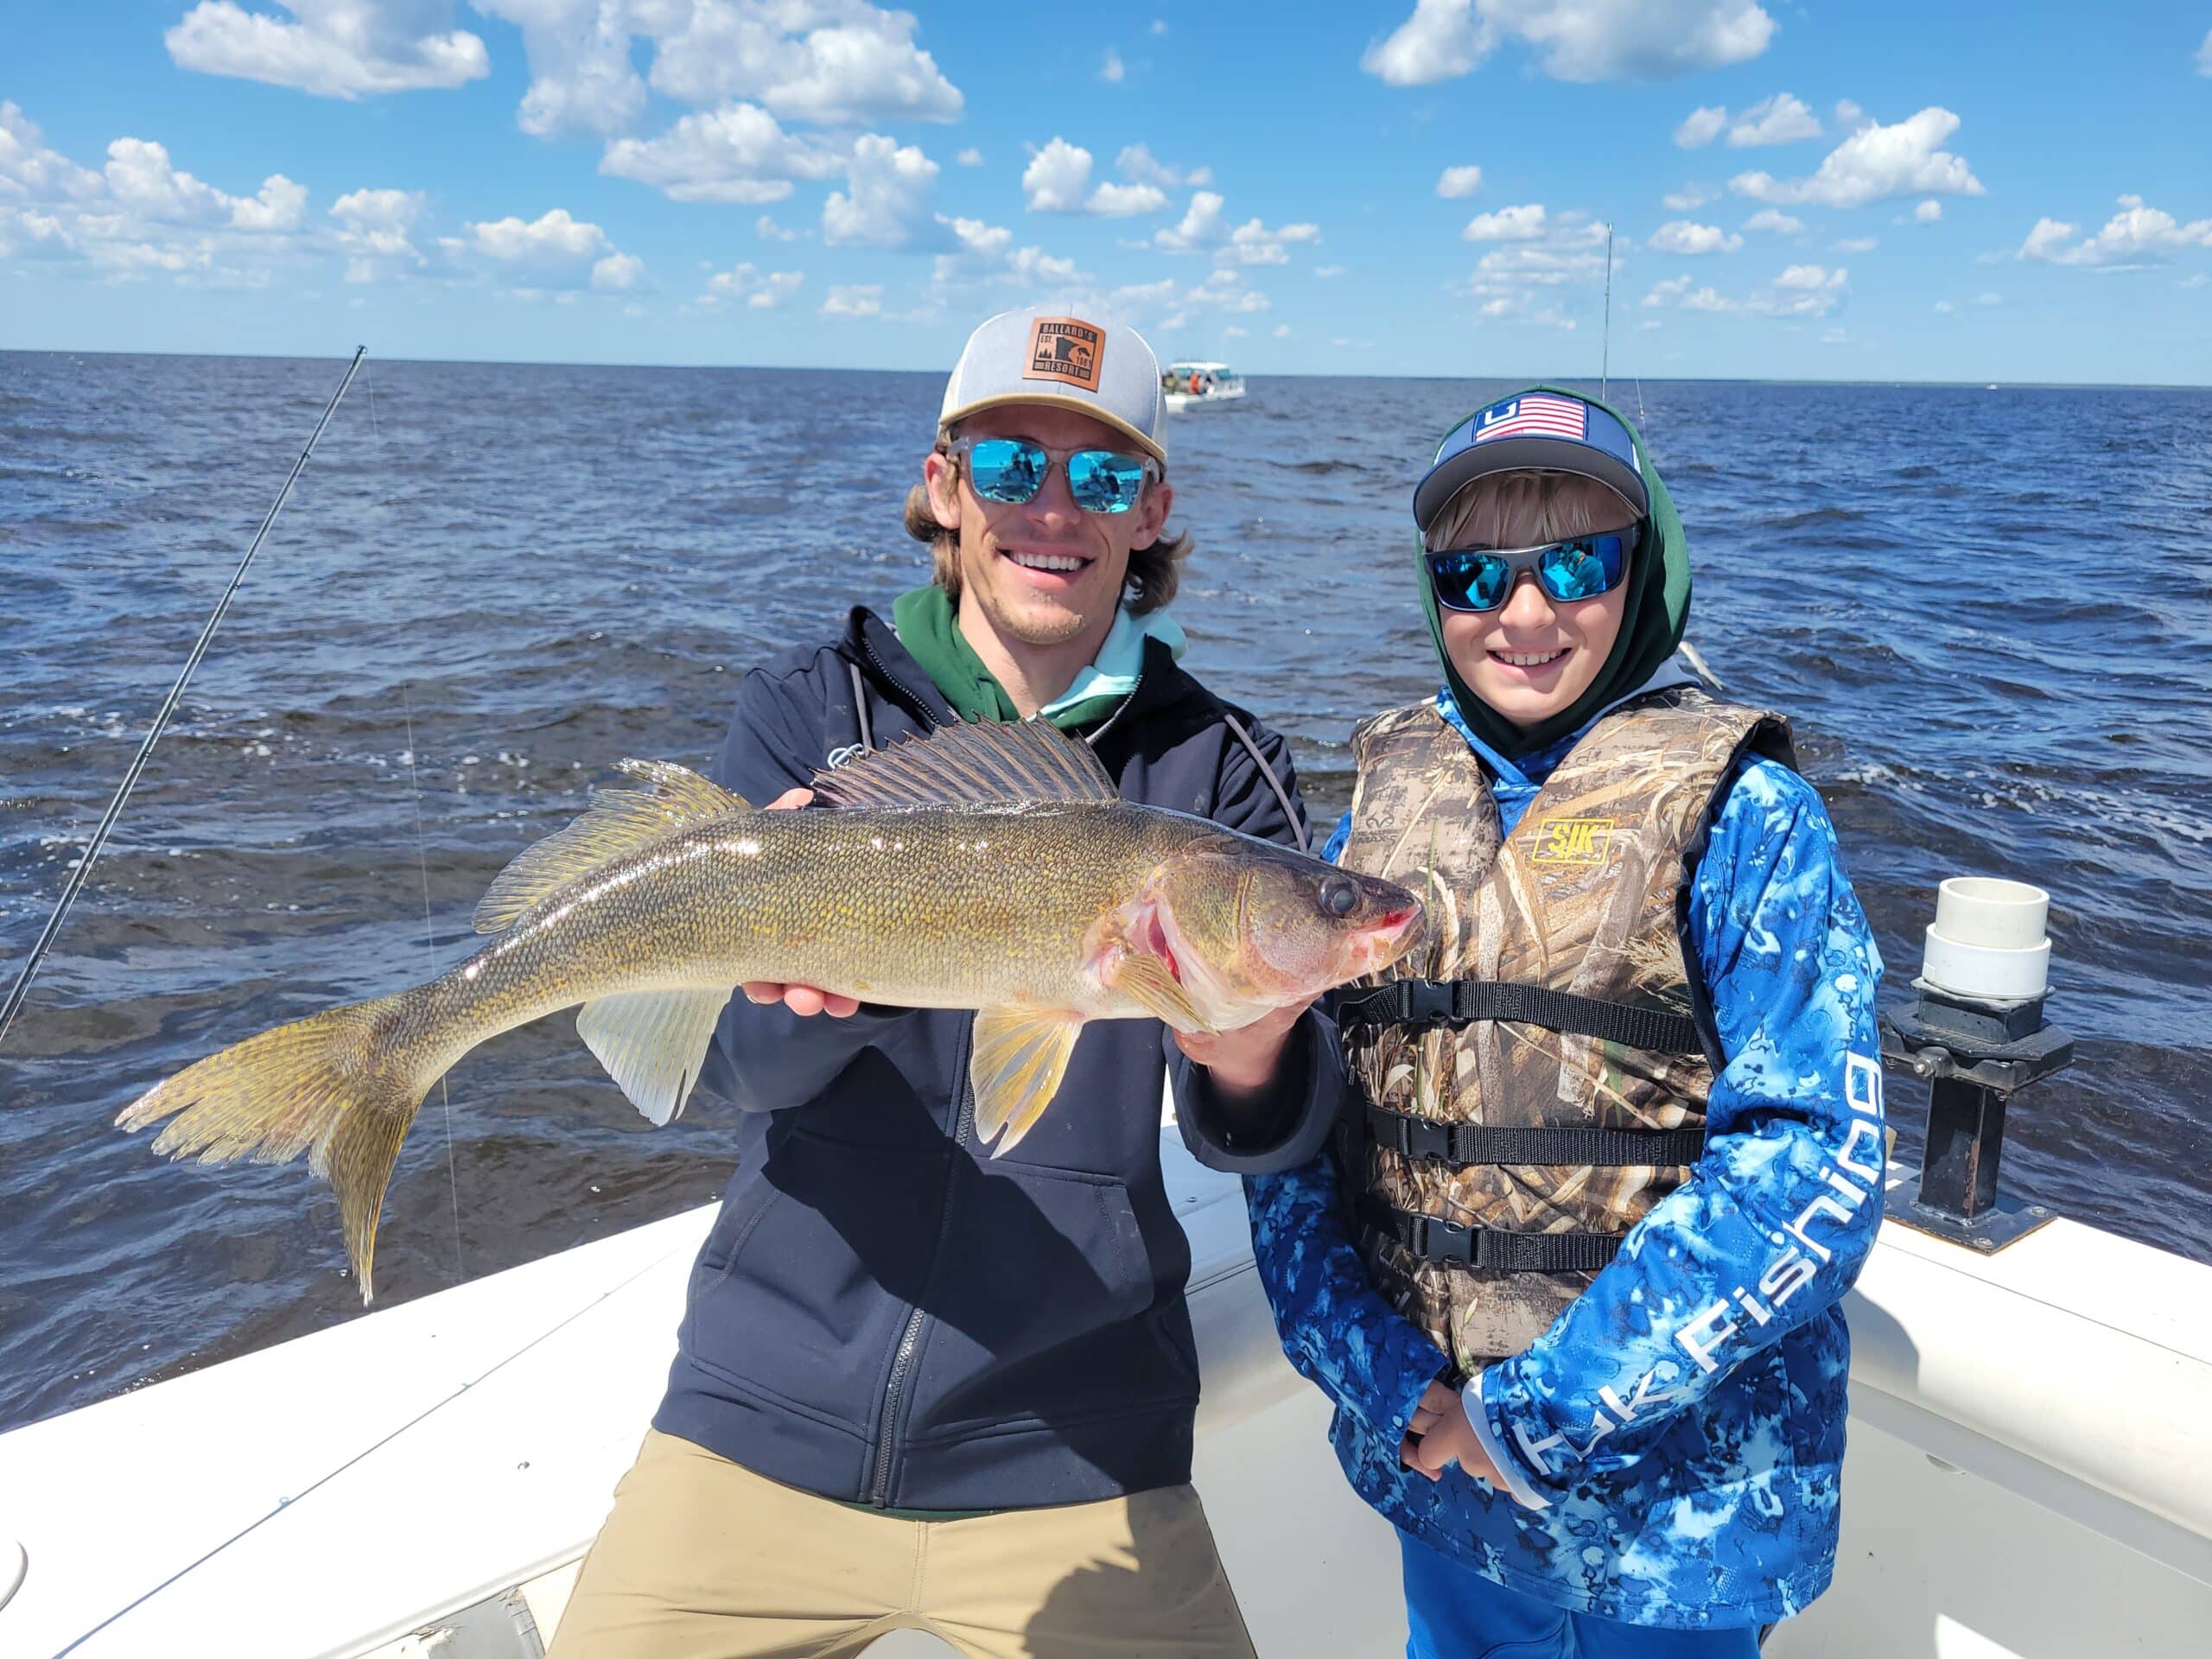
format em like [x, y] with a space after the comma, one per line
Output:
[1802, 191]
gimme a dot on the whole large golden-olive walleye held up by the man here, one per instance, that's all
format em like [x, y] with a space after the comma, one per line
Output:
[981, 868]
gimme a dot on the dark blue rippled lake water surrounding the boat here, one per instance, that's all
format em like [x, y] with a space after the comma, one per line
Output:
[1987, 612]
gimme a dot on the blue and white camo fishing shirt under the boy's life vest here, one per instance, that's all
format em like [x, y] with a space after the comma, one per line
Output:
[1676, 1437]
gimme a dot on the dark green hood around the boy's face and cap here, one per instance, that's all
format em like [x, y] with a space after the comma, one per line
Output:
[1651, 627]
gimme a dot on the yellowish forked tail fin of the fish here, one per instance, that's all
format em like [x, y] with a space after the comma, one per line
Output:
[340, 1087]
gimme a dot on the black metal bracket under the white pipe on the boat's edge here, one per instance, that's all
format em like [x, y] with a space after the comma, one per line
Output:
[1976, 1058]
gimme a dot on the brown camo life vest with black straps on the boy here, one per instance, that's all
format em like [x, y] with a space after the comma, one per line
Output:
[1545, 1081]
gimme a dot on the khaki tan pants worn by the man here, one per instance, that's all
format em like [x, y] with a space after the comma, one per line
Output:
[709, 1561]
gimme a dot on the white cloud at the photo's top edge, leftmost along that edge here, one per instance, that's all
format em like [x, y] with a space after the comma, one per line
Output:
[331, 48]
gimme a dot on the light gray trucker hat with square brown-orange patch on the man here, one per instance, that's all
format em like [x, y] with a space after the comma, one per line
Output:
[1039, 355]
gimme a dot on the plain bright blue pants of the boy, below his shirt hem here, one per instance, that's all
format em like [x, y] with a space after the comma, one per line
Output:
[1457, 1614]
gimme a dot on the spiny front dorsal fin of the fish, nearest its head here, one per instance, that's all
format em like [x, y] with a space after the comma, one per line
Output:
[970, 762]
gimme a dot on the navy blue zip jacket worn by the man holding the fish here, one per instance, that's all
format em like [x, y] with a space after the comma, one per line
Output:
[884, 1313]
